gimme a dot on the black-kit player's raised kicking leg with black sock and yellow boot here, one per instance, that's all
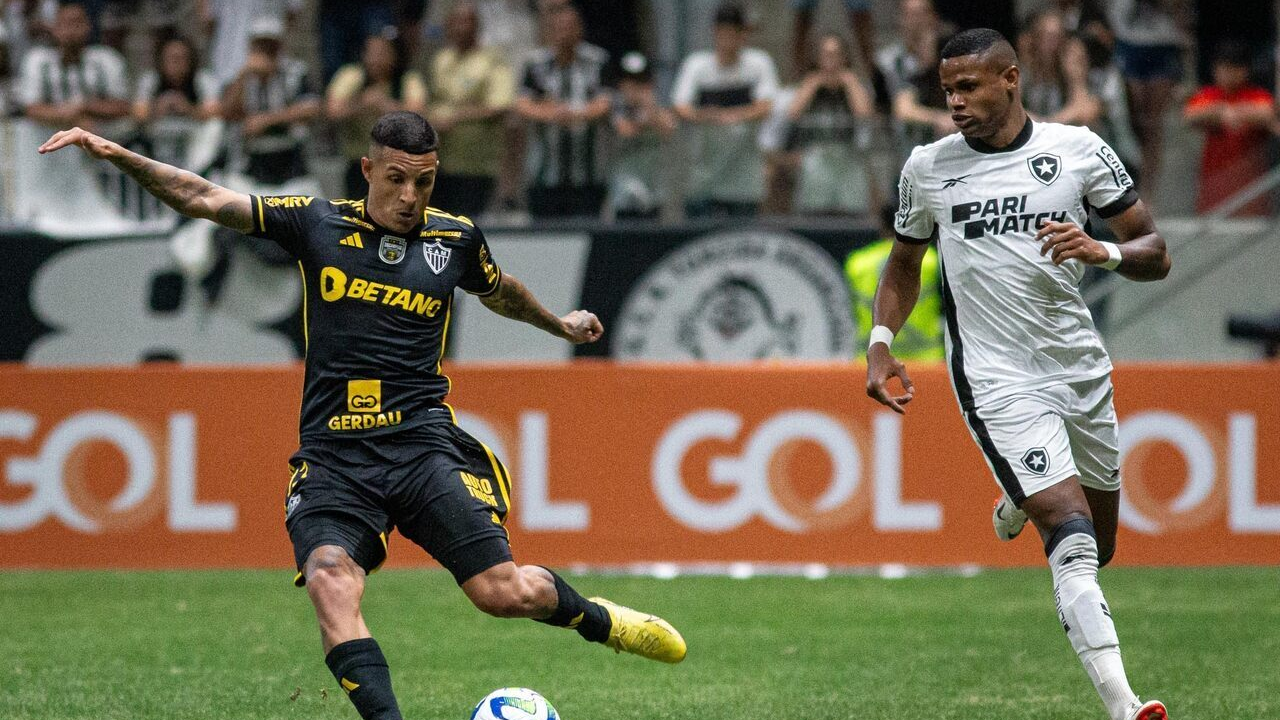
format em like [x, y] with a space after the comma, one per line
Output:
[531, 591]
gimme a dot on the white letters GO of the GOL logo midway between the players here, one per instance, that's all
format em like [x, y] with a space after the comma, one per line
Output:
[760, 491]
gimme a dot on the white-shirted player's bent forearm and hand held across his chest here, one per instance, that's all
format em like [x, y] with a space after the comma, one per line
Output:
[1144, 256]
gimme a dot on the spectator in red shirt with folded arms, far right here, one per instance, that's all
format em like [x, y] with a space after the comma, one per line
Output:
[1237, 119]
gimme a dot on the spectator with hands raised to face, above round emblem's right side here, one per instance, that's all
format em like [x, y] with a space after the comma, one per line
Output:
[831, 116]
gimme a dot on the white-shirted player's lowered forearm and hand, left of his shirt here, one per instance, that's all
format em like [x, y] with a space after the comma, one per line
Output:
[895, 297]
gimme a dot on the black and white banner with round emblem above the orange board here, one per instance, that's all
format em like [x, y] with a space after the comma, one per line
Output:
[198, 294]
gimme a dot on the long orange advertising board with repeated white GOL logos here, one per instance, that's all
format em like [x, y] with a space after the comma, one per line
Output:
[618, 464]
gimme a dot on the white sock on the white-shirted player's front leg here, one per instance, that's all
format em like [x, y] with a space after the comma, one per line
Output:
[1087, 619]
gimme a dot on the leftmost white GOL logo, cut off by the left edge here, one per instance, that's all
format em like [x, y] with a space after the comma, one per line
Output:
[58, 475]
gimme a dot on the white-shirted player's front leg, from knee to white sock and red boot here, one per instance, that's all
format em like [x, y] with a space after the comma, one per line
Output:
[1063, 516]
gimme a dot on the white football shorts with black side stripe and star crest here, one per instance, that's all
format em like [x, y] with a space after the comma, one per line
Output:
[1039, 439]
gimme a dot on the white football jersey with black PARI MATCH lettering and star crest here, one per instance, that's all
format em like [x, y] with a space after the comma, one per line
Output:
[1016, 322]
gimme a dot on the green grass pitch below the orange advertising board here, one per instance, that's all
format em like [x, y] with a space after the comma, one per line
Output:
[243, 645]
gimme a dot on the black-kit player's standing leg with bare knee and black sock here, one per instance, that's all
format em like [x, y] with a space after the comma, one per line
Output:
[336, 584]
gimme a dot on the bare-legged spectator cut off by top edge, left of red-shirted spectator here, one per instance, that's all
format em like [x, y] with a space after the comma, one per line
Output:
[1150, 40]
